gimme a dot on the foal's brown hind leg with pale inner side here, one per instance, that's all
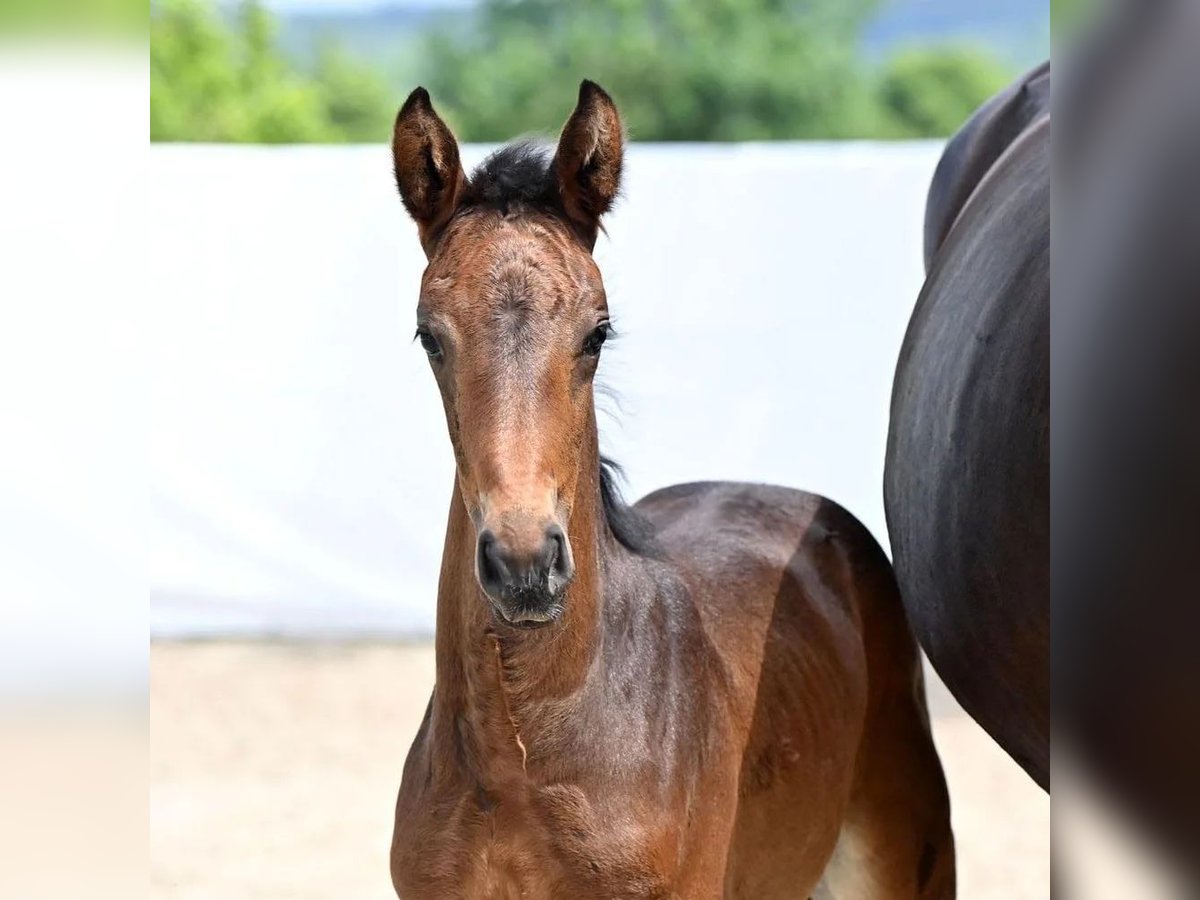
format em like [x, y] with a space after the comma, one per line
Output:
[896, 841]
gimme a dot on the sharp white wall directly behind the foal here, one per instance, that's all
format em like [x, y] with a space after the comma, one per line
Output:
[299, 466]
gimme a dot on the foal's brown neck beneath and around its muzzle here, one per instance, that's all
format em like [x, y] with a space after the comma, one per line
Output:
[496, 677]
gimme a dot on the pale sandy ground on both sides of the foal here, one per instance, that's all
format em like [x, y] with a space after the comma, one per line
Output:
[274, 771]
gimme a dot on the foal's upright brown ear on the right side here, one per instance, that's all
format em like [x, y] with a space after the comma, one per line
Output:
[587, 164]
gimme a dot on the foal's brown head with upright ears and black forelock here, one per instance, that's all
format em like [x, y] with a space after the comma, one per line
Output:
[513, 316]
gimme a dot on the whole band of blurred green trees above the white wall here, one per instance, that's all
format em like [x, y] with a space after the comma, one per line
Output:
[681, 70]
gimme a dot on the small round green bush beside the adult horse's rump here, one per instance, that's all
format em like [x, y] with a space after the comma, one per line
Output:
[932, 92]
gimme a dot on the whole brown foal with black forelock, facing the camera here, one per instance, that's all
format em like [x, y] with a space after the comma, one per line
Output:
[712, 694]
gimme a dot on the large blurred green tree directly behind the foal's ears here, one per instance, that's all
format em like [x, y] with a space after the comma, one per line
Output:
[682, 70]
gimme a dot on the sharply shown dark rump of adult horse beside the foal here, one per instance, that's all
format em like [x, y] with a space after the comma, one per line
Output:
[967, 482]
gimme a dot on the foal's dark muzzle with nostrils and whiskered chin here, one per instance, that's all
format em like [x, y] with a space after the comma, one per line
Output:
[525, 584]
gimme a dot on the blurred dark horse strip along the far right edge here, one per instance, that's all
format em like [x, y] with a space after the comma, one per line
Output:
[1126, 394]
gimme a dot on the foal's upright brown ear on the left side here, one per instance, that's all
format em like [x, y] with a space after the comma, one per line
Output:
[428, 170]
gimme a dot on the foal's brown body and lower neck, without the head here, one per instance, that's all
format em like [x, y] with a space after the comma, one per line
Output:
[699, 743]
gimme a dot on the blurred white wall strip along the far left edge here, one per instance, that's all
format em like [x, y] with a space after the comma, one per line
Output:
[73, 491]
